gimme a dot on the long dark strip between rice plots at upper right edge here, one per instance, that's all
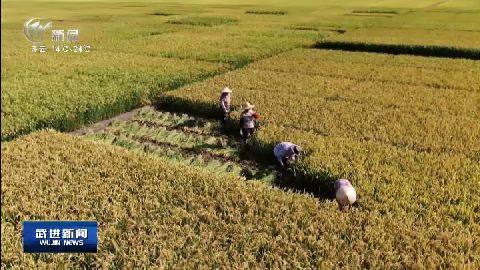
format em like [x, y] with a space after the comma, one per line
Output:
[420, 50]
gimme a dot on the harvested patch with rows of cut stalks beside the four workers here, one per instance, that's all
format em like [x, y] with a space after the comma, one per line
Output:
[186, 139]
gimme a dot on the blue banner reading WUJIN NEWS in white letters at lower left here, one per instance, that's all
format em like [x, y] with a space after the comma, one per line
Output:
[60, 236]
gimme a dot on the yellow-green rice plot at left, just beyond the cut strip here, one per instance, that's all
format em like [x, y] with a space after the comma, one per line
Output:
[65, 97]
